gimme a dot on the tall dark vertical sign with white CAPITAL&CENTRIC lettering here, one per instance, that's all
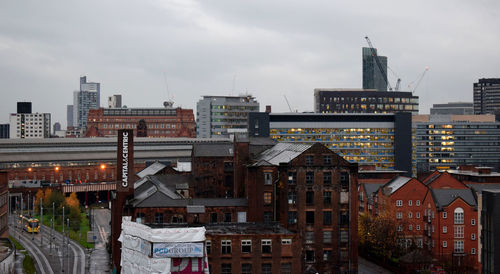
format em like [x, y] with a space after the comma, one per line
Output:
[125, 160]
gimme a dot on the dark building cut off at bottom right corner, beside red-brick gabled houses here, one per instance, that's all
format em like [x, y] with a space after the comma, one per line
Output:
[490, 222]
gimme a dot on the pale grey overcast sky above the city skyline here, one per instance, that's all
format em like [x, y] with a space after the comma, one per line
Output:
[264, 48]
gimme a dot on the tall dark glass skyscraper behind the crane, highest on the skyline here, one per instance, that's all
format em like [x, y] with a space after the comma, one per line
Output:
[372, 77]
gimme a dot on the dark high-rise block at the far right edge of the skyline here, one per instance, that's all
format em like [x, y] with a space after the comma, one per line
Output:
[487, 96]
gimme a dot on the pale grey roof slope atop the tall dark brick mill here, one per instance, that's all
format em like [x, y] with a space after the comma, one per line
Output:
[280, 153]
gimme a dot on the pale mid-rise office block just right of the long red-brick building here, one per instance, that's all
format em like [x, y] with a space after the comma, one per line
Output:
[219, 116]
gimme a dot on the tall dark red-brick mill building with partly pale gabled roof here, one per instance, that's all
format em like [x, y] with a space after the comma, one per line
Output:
[311, 191]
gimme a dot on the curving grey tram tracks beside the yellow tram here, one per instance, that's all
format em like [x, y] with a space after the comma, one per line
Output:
[50, 256]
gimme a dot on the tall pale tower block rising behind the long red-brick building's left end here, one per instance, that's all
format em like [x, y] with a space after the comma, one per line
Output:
[88, 97]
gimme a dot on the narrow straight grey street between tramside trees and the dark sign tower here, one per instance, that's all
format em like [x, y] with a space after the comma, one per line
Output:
[99, 258]
